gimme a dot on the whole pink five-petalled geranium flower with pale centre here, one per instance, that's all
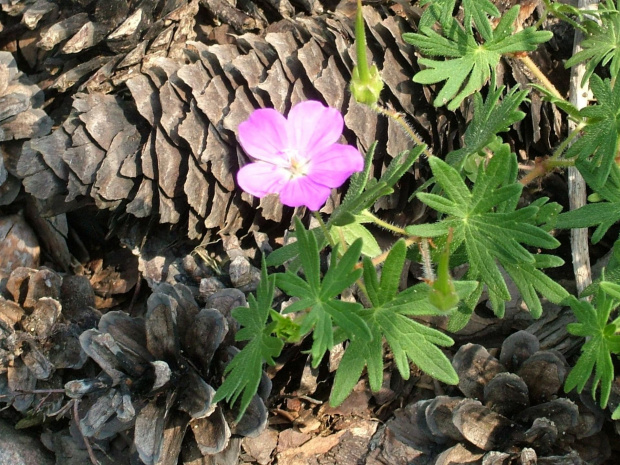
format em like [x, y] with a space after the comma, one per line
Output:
[298, 157]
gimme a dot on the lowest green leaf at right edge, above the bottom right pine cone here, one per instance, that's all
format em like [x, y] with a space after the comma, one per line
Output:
[595, 358]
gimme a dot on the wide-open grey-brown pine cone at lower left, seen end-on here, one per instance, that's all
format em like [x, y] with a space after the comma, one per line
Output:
[156, 381]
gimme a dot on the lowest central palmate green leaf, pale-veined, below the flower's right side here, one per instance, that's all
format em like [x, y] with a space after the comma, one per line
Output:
[408, 340]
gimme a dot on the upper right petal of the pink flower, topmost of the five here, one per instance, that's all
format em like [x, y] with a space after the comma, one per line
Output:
[313, 127]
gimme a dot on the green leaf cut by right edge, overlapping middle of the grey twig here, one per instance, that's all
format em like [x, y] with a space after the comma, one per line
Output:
[602, 214]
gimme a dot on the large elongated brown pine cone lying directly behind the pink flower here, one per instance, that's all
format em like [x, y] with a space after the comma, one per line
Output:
[164, 145]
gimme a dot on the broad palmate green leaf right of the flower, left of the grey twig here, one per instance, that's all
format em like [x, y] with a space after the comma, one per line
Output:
[492, 230]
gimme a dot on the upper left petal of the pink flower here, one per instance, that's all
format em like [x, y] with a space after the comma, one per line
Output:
[263, 136]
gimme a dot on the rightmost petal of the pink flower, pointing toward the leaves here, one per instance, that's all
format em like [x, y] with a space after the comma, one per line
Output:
[335, 165]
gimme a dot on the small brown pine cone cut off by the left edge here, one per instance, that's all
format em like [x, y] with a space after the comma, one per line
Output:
[38, 342]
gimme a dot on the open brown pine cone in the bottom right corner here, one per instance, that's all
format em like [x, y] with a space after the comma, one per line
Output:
[517, 417]
